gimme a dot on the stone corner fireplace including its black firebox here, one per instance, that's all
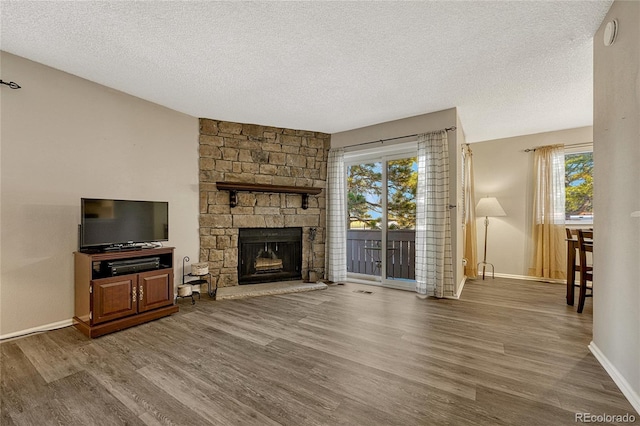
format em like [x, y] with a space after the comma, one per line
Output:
[267, 157]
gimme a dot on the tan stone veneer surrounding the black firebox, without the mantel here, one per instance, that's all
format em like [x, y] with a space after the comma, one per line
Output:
[249, 153]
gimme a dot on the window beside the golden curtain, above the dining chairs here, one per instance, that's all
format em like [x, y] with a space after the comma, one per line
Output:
[578, 185]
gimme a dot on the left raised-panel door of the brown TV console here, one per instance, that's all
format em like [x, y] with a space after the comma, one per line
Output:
[113, 297]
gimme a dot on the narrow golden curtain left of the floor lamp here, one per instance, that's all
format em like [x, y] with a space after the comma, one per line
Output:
[469, 214]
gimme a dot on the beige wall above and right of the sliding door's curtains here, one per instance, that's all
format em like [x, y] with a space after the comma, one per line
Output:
[414, 125]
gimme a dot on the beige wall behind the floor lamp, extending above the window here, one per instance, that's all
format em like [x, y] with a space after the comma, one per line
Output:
[503, 170]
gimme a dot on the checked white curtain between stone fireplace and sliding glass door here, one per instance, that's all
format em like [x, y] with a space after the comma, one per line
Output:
[336, 244]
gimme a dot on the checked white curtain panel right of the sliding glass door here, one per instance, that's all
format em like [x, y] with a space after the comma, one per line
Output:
[434, 264]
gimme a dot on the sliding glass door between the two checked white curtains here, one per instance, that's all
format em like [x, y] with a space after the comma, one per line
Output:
[381, 192]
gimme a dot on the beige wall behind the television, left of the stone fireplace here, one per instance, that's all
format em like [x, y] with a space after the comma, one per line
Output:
[64, 138]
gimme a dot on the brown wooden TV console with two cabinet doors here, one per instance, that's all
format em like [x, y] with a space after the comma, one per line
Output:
[105, 303]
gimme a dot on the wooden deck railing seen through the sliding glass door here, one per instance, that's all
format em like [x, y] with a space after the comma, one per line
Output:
[364, 253]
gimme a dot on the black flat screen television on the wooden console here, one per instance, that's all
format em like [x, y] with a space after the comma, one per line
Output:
[116, 223]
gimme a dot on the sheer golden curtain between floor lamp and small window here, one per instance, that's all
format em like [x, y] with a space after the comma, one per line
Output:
[548, 233]
